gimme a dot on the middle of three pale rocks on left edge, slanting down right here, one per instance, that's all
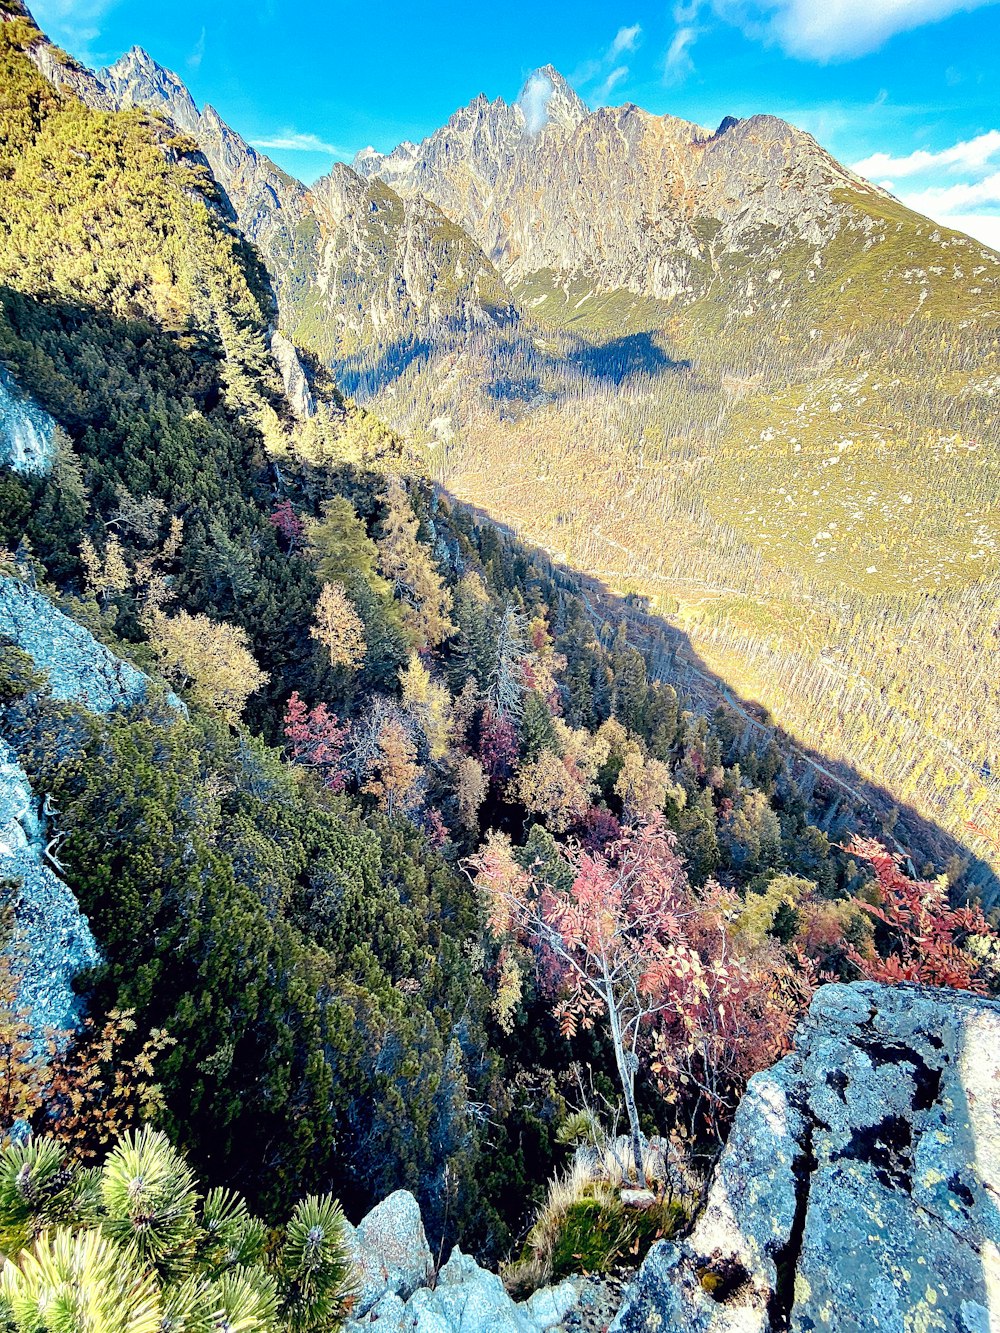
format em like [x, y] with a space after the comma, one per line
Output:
[78, 667]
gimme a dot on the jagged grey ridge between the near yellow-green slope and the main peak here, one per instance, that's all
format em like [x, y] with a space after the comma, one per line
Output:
[354, 265]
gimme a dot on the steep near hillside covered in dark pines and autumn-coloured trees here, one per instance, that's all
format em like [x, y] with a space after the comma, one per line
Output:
[329, 890]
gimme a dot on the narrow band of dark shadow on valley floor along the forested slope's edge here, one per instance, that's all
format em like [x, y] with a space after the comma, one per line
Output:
[841, 799]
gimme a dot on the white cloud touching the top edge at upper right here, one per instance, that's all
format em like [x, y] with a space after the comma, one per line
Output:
[837, 30]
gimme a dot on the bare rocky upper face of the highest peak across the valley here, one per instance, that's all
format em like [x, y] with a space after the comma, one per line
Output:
[629, 199]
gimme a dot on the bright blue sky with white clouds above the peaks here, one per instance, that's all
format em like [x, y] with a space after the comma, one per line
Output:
[910, 90]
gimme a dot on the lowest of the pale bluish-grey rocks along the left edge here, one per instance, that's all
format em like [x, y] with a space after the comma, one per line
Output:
[51, 940]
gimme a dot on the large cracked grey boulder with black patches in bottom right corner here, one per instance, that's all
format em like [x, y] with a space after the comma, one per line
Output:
[861, 1184]
